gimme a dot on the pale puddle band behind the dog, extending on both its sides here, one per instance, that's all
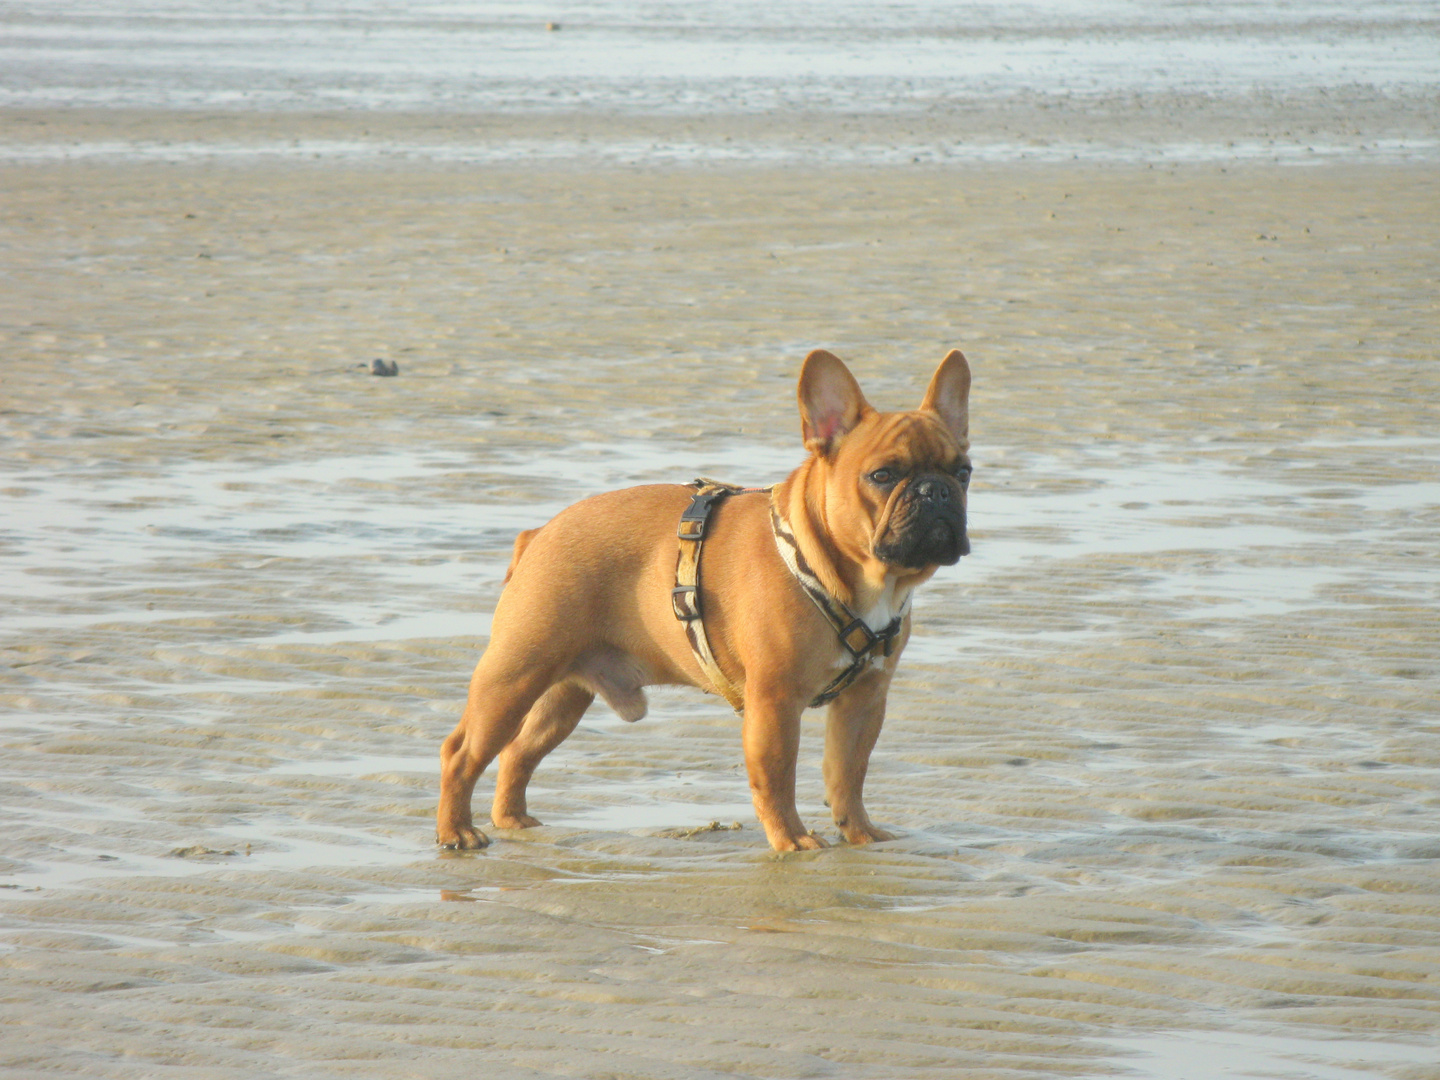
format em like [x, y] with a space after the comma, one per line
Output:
[423, 528]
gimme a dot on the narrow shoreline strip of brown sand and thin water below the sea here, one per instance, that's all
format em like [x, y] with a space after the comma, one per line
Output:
[1163, 130]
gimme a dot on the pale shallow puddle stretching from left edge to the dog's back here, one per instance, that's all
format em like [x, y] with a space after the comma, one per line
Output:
[414, 526]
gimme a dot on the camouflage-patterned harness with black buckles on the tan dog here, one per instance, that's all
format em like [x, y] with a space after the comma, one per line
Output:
[856, 637]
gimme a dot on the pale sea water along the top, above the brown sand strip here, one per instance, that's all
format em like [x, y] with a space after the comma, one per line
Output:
[667, 57]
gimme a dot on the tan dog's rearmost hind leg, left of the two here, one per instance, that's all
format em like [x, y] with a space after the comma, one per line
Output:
[500, 698]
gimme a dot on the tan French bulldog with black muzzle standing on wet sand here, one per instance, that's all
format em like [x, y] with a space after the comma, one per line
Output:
[590, 607]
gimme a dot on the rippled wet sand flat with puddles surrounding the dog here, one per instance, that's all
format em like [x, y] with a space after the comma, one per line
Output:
[1164, 752]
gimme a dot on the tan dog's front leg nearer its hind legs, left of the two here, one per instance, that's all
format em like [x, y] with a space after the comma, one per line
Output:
[773, 741]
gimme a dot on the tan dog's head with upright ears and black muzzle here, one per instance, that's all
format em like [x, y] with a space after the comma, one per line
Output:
[892, 486]
